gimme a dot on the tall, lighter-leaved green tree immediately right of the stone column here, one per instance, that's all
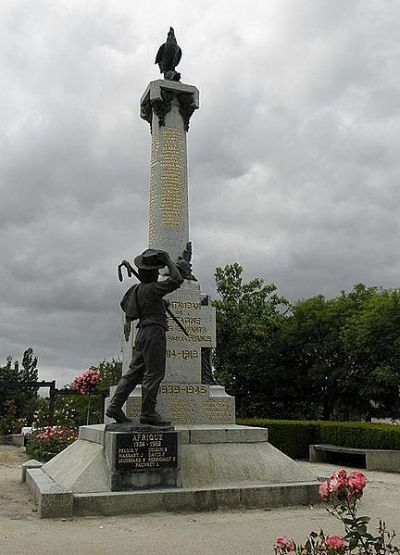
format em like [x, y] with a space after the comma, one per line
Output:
[249, 318]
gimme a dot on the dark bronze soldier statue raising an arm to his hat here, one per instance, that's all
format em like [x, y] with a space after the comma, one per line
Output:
[145, 302]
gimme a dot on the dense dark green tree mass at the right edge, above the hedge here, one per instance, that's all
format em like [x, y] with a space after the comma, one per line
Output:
[346, 348]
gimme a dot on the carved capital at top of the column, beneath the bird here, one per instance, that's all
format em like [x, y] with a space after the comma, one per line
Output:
[159, 95]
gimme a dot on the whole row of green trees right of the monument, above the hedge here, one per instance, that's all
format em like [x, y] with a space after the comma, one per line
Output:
[341, 355]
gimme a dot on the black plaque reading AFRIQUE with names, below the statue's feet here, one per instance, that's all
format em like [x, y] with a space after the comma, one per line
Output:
[144, 451]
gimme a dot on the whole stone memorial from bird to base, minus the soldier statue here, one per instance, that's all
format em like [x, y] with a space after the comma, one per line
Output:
[200, 460]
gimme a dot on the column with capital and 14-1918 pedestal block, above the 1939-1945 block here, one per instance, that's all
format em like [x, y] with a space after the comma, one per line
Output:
[168, 106]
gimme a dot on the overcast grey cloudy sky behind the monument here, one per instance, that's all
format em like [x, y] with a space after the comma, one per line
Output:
[293, 156]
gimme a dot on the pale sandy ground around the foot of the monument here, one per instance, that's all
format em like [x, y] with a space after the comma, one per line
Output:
[219, 533]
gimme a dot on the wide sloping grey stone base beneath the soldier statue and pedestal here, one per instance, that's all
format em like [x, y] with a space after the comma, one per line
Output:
[218, 466]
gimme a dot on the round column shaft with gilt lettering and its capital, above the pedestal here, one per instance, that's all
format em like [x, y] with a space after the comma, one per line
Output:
[168, 106]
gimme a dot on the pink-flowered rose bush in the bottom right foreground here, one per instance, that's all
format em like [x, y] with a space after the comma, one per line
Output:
[342, 492]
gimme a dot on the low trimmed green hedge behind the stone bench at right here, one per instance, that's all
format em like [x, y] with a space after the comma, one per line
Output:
[294, 436]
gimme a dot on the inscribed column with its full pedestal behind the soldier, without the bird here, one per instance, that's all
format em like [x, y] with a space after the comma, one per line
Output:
[167, 105]
